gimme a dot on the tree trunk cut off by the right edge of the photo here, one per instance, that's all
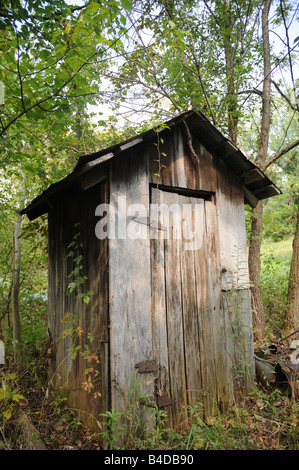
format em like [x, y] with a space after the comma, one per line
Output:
[292, 311]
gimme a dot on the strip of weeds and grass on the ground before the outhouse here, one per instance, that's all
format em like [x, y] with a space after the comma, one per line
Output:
[266, 420]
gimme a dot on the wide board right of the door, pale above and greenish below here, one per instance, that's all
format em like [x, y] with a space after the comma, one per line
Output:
[235, 304]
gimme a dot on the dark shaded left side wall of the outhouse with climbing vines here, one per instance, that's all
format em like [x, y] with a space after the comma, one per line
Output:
[68, 373]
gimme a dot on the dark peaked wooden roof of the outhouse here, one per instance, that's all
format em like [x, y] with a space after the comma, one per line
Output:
[256, 184]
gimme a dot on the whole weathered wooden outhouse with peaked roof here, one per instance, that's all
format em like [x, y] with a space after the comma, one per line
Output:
[154, 227]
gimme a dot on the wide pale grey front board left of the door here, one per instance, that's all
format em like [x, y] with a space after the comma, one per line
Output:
[129, 280]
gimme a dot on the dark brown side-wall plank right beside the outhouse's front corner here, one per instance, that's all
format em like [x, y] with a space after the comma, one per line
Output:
[95, 314]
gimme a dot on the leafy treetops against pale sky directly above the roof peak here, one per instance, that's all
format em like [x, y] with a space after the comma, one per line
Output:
[185, 59]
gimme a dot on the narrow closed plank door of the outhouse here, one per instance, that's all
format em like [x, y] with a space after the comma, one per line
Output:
[184, 257]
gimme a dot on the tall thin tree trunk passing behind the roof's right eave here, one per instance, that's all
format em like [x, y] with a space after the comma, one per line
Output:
[260, 161]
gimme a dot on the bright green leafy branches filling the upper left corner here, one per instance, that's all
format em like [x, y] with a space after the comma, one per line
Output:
[51, 60]
